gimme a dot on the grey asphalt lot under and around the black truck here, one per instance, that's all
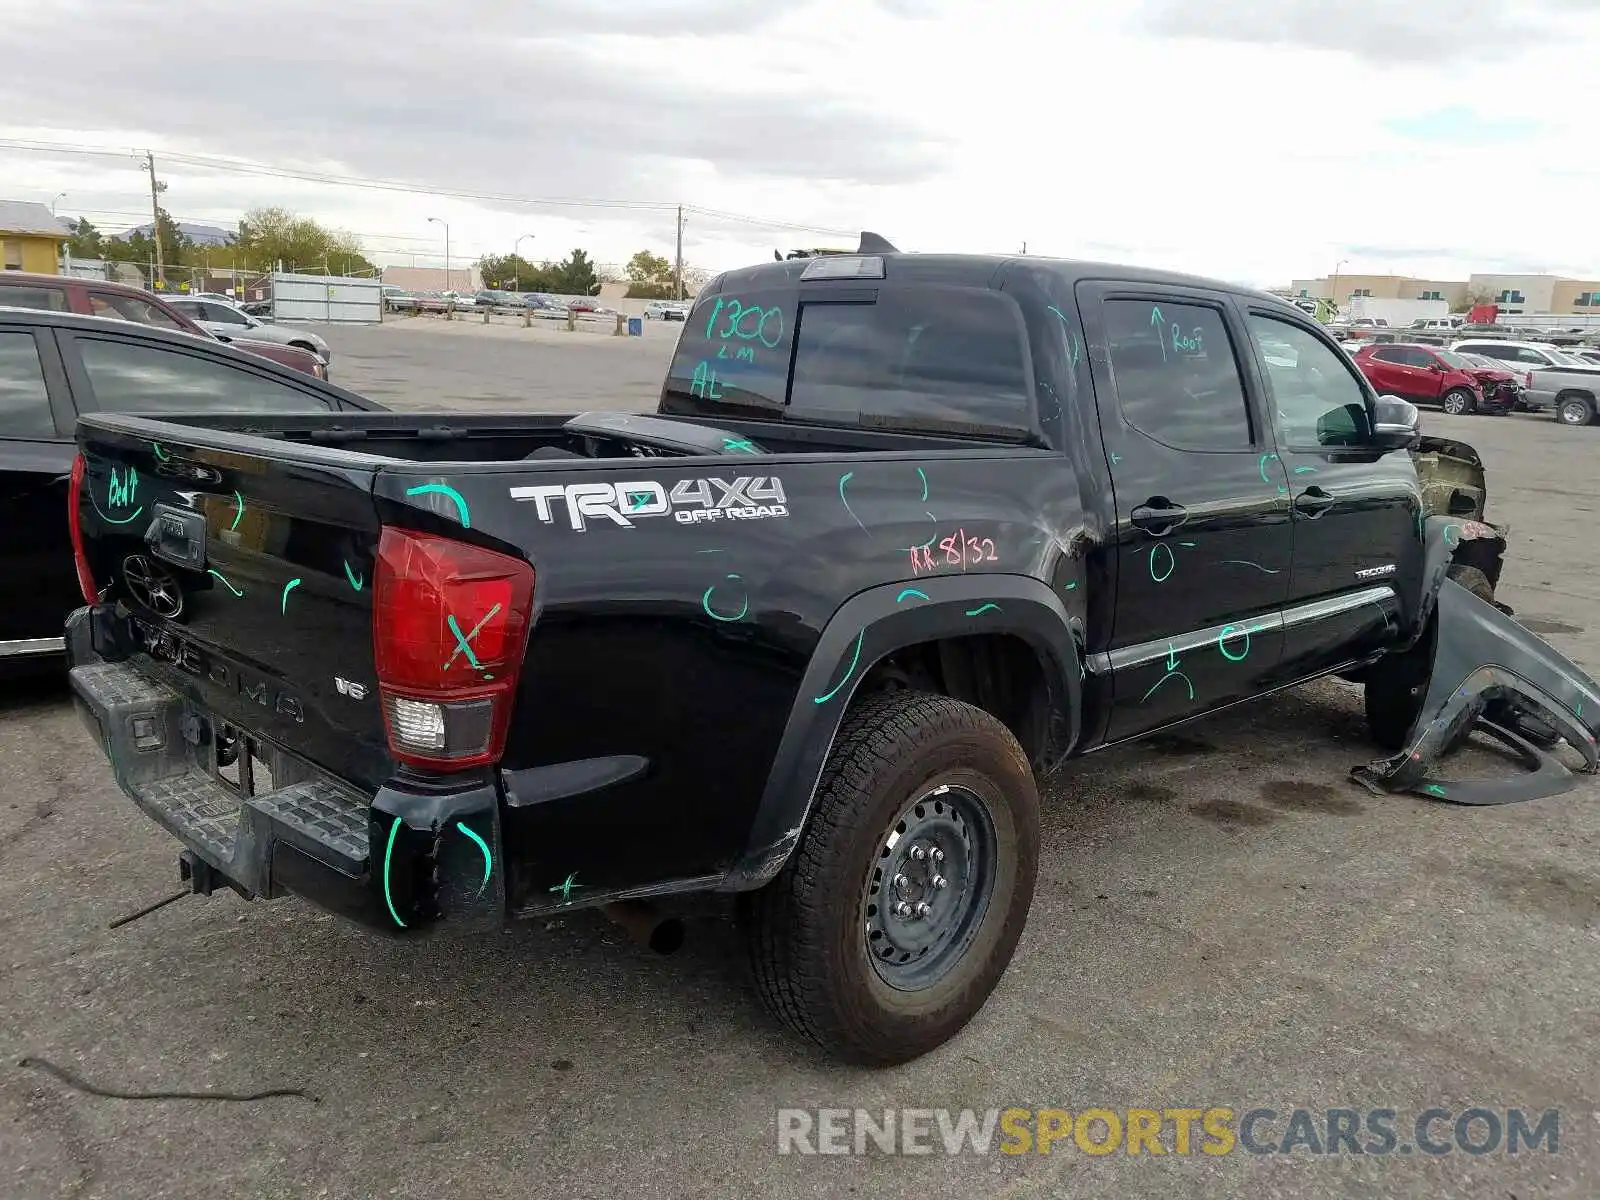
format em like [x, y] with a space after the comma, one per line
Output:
[1222, 921]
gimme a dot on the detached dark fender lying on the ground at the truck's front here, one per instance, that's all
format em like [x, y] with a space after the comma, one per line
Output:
[1494, 676]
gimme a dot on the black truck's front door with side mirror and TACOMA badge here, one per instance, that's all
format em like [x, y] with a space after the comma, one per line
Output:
[1356, 511]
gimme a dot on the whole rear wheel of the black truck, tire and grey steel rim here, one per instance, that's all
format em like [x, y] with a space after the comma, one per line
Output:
[900, 910]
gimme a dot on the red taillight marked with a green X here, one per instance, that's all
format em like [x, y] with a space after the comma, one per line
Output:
[450, 623]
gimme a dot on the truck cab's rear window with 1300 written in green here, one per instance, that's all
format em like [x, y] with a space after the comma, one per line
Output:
[938, 359]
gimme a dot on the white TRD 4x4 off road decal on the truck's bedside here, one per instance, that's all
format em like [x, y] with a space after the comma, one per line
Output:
[690, 502]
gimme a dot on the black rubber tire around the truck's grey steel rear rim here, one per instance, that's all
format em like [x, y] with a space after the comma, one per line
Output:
[806, 927]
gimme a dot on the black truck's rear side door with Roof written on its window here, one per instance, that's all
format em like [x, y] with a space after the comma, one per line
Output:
[1202, 537]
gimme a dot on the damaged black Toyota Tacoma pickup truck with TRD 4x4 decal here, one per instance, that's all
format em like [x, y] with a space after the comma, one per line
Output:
[905, 534]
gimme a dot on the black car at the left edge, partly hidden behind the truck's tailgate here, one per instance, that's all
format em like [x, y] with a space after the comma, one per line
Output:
[57, 367]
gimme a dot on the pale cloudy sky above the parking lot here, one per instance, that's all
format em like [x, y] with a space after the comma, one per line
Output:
[1249, 142]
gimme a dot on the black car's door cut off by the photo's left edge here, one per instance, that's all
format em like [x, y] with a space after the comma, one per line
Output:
[38, 575]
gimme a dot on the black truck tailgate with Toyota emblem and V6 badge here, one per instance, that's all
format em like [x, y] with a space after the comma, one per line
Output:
[242, 582]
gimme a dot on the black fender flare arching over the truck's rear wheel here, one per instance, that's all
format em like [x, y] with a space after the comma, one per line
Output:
[868, 628]
